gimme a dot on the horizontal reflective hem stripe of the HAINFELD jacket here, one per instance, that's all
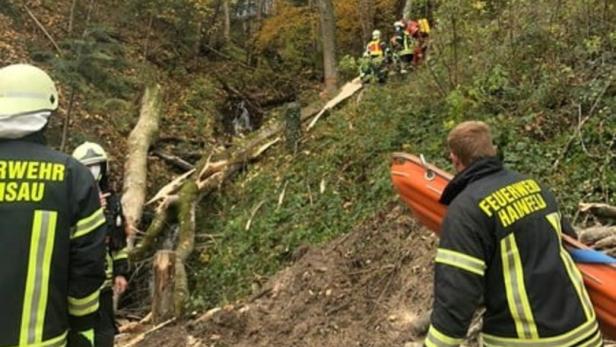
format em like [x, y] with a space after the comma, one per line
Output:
[572, 338]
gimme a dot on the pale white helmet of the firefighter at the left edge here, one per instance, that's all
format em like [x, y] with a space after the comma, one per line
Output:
[27, 98]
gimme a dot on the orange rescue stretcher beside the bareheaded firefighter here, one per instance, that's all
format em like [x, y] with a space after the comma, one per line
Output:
[420, 186]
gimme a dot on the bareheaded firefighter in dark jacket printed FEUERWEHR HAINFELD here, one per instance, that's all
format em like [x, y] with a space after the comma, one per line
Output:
[501, 246]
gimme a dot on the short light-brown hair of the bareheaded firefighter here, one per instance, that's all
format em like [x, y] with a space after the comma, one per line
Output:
[470, 141]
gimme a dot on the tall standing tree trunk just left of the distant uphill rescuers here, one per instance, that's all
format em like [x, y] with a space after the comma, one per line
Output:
[328, 35]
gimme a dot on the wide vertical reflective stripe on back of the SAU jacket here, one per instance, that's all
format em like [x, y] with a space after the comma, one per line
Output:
[37, 280]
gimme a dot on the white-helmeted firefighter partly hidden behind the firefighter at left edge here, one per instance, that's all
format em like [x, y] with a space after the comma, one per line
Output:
[94, 157]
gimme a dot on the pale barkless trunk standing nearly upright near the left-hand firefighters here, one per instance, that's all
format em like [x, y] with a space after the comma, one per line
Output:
[135, 169]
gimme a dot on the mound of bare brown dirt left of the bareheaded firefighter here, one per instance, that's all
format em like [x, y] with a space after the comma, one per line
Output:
[362, 289]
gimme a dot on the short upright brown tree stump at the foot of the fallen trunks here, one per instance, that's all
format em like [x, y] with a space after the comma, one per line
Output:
[163, 305]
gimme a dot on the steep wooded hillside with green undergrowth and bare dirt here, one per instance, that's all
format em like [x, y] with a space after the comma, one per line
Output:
[310, 247]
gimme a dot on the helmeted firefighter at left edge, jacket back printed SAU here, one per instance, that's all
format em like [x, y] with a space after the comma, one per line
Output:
[52, 227]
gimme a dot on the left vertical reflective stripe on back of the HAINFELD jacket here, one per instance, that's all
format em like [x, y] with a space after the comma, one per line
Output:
[515, 288]
